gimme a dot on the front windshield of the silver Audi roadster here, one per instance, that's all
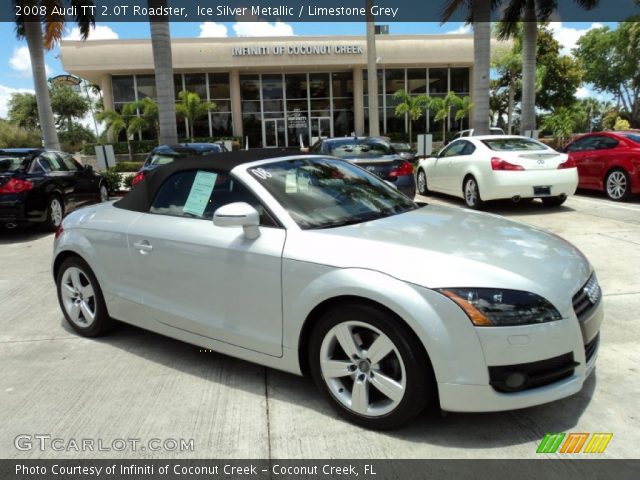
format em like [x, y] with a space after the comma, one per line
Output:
[324, 193]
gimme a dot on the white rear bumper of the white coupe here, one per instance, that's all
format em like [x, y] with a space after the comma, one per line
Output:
[521, 184]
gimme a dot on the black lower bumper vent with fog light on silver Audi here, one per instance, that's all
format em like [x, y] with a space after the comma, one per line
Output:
[535, 374]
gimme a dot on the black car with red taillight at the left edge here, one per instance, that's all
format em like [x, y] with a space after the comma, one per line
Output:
[40, 186]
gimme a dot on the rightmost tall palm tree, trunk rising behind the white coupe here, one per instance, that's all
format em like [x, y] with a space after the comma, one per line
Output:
[530, 12]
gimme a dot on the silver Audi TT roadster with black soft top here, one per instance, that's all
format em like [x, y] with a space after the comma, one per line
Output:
[309, 264]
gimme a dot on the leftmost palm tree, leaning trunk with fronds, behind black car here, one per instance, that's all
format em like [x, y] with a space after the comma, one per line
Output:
[30, 27]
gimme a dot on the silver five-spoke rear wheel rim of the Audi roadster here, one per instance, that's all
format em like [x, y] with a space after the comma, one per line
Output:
[78, 297]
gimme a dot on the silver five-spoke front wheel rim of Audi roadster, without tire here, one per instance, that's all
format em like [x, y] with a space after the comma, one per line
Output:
[362, 368]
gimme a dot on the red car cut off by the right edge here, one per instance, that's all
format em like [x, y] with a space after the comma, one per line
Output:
[608, 161]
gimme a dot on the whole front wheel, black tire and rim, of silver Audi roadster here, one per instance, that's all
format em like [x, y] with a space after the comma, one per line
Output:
[406, 364]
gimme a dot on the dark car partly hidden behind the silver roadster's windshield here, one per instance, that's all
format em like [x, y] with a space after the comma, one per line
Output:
[374, 154]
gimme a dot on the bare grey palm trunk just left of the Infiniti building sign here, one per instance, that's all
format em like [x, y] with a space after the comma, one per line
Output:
[163, 64]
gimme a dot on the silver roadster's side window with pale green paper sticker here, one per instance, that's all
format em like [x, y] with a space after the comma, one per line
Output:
[199, 193]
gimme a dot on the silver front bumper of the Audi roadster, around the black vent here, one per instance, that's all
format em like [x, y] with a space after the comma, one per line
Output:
[514, 346]
